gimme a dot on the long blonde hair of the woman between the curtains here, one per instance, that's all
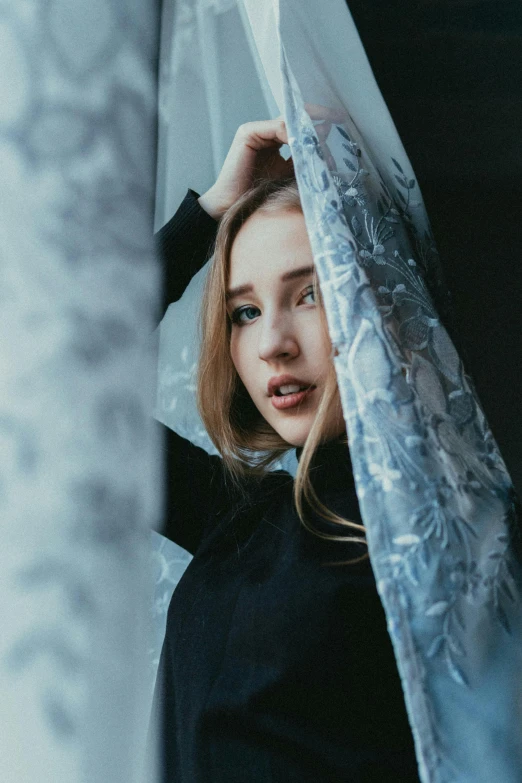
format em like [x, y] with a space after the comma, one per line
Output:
[246, 442]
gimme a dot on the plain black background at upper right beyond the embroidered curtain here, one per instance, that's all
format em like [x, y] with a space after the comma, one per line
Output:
[450, 72]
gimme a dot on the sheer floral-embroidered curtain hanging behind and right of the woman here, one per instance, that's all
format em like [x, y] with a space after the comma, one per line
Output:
[436, 499]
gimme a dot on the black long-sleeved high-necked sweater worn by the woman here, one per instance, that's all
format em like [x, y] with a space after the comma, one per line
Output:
[276, 667]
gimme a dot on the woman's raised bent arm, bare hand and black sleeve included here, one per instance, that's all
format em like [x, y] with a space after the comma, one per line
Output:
[195, 483]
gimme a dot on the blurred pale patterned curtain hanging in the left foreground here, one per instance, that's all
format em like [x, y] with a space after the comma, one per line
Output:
[79, 487]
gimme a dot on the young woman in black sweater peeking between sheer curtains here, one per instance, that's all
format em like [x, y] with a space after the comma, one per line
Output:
[277, 665]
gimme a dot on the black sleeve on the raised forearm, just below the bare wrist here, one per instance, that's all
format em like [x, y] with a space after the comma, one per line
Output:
[184, 244]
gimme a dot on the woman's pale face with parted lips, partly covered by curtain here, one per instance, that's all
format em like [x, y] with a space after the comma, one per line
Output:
[278, 344]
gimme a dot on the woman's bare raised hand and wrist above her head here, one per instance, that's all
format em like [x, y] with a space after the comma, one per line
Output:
[254, 153]
